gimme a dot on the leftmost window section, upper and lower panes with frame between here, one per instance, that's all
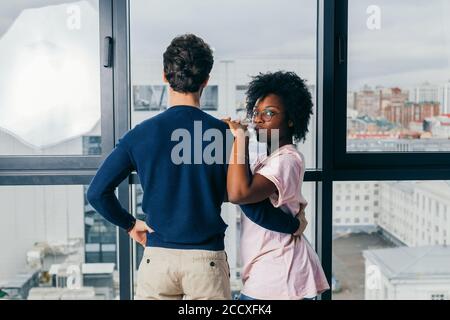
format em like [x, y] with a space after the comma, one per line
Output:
[56, 124]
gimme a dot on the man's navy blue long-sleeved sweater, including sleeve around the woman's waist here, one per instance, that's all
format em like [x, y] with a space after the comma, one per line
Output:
[182, 202]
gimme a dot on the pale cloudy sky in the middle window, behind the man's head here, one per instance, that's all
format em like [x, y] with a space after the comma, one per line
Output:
[235, 28]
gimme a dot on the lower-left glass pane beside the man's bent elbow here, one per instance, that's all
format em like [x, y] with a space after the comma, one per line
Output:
[62, 248]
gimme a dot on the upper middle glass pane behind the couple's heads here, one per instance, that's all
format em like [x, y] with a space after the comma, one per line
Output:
[265, 36]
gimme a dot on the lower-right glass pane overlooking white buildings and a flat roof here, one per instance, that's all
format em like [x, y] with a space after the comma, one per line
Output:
[390, 240]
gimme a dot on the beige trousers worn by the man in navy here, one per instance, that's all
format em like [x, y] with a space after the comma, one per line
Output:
[172, 274]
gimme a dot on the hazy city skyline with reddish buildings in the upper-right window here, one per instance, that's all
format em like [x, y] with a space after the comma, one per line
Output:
[387, 113]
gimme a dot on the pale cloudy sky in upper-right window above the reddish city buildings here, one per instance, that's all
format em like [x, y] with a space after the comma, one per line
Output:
[411, 47]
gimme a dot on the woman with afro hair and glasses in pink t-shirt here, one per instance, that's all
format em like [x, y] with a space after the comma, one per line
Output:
[276, 266]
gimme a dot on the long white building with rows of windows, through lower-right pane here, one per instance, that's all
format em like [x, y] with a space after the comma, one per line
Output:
[407, 213]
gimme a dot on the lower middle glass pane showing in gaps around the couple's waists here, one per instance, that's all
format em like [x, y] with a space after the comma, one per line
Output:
[231, 214]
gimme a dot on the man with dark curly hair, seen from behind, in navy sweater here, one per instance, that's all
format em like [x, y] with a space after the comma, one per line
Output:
[183, 234]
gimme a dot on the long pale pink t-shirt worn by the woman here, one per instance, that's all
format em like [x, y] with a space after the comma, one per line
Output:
[275, 265]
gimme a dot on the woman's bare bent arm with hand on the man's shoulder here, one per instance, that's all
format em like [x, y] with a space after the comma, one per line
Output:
[242, 189]
